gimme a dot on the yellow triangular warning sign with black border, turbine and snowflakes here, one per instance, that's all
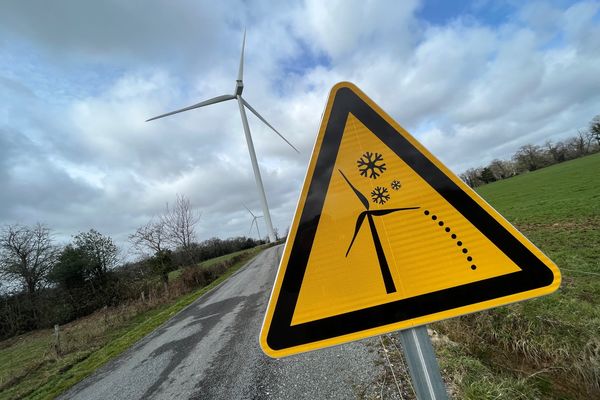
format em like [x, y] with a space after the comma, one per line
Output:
[385, 237]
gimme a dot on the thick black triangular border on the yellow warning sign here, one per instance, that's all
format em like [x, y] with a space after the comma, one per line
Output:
[534, 273]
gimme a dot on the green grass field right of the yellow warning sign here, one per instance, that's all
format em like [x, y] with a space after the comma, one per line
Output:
[547, 348]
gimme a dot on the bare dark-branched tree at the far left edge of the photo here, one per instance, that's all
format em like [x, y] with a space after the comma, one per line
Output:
[27, 255]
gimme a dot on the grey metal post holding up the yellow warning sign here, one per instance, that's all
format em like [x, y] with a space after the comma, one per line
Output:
[422, 364]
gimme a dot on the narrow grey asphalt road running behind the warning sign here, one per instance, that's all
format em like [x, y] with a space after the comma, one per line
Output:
[210, 351]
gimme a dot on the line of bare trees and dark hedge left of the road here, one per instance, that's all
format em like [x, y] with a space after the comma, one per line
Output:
[46, 283]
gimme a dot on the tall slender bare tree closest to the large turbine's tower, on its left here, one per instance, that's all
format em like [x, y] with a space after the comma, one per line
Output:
[180, 222]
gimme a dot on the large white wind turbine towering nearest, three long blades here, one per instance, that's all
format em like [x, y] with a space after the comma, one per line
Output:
[243, 104]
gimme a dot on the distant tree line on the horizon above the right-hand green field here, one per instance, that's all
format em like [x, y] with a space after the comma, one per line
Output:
[533, 157]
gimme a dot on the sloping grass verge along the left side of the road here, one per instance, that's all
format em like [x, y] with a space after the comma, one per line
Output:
[30, 368]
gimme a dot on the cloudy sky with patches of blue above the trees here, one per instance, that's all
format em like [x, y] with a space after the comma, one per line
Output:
[472, 81]
